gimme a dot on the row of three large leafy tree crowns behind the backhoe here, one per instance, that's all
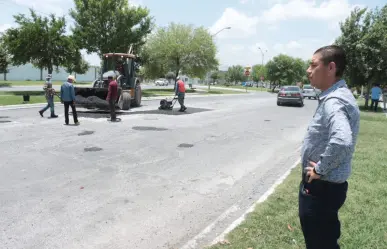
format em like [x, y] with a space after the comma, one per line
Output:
[102, 27]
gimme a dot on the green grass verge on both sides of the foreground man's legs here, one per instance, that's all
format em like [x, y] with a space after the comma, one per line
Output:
[275, 224]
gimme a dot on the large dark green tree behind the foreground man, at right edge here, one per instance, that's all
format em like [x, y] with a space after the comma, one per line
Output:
[364, 40]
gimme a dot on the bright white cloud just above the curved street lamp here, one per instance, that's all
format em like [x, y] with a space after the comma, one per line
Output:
[242, 26]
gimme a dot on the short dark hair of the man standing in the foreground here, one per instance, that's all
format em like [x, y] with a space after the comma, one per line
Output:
[336, 54]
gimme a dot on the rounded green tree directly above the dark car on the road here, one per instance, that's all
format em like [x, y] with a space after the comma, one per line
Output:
[284, 69]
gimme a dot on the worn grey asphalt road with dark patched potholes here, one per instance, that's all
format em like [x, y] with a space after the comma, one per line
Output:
[154, 180]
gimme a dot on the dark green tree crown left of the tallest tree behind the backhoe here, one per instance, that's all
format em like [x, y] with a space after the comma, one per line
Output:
[38, 40]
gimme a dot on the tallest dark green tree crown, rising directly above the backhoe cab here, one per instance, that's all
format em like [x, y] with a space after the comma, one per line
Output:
[109, 25]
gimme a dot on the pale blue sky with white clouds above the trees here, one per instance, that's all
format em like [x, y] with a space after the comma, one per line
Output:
[293, 27]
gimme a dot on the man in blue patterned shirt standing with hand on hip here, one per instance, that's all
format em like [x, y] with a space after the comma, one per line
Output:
[327, 150]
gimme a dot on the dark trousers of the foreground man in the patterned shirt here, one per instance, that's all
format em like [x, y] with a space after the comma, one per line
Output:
[319, 204]
